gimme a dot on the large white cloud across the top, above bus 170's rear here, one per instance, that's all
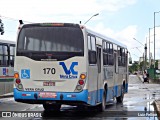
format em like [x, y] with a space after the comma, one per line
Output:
[58, 10]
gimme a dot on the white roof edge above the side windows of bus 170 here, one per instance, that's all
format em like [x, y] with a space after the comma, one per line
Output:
[107, 38]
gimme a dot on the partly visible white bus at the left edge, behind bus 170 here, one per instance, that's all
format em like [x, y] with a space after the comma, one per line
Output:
[7, 51]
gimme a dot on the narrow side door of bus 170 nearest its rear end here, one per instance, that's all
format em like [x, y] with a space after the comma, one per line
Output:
[99, 72]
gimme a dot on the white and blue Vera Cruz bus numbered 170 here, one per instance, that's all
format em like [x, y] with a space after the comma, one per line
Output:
[67, 63]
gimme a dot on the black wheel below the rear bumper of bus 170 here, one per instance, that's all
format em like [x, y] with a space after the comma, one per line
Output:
[52, 107]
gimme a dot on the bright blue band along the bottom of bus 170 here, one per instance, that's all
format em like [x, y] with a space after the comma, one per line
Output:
[76, 96]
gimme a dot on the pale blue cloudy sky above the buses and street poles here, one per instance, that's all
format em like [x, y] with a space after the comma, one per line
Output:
[121, 20]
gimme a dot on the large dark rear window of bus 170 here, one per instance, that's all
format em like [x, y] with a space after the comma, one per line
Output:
[58, 40]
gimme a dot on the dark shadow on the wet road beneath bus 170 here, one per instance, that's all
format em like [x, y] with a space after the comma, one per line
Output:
[81, 113]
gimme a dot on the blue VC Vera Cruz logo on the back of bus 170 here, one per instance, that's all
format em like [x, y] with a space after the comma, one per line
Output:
[70, 73]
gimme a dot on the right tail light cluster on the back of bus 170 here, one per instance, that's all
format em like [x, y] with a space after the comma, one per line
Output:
[81, 82]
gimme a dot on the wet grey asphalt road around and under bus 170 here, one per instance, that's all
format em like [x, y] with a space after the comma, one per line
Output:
[137, 105]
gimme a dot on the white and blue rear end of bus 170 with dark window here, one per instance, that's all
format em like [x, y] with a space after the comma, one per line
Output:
[50, 67]
